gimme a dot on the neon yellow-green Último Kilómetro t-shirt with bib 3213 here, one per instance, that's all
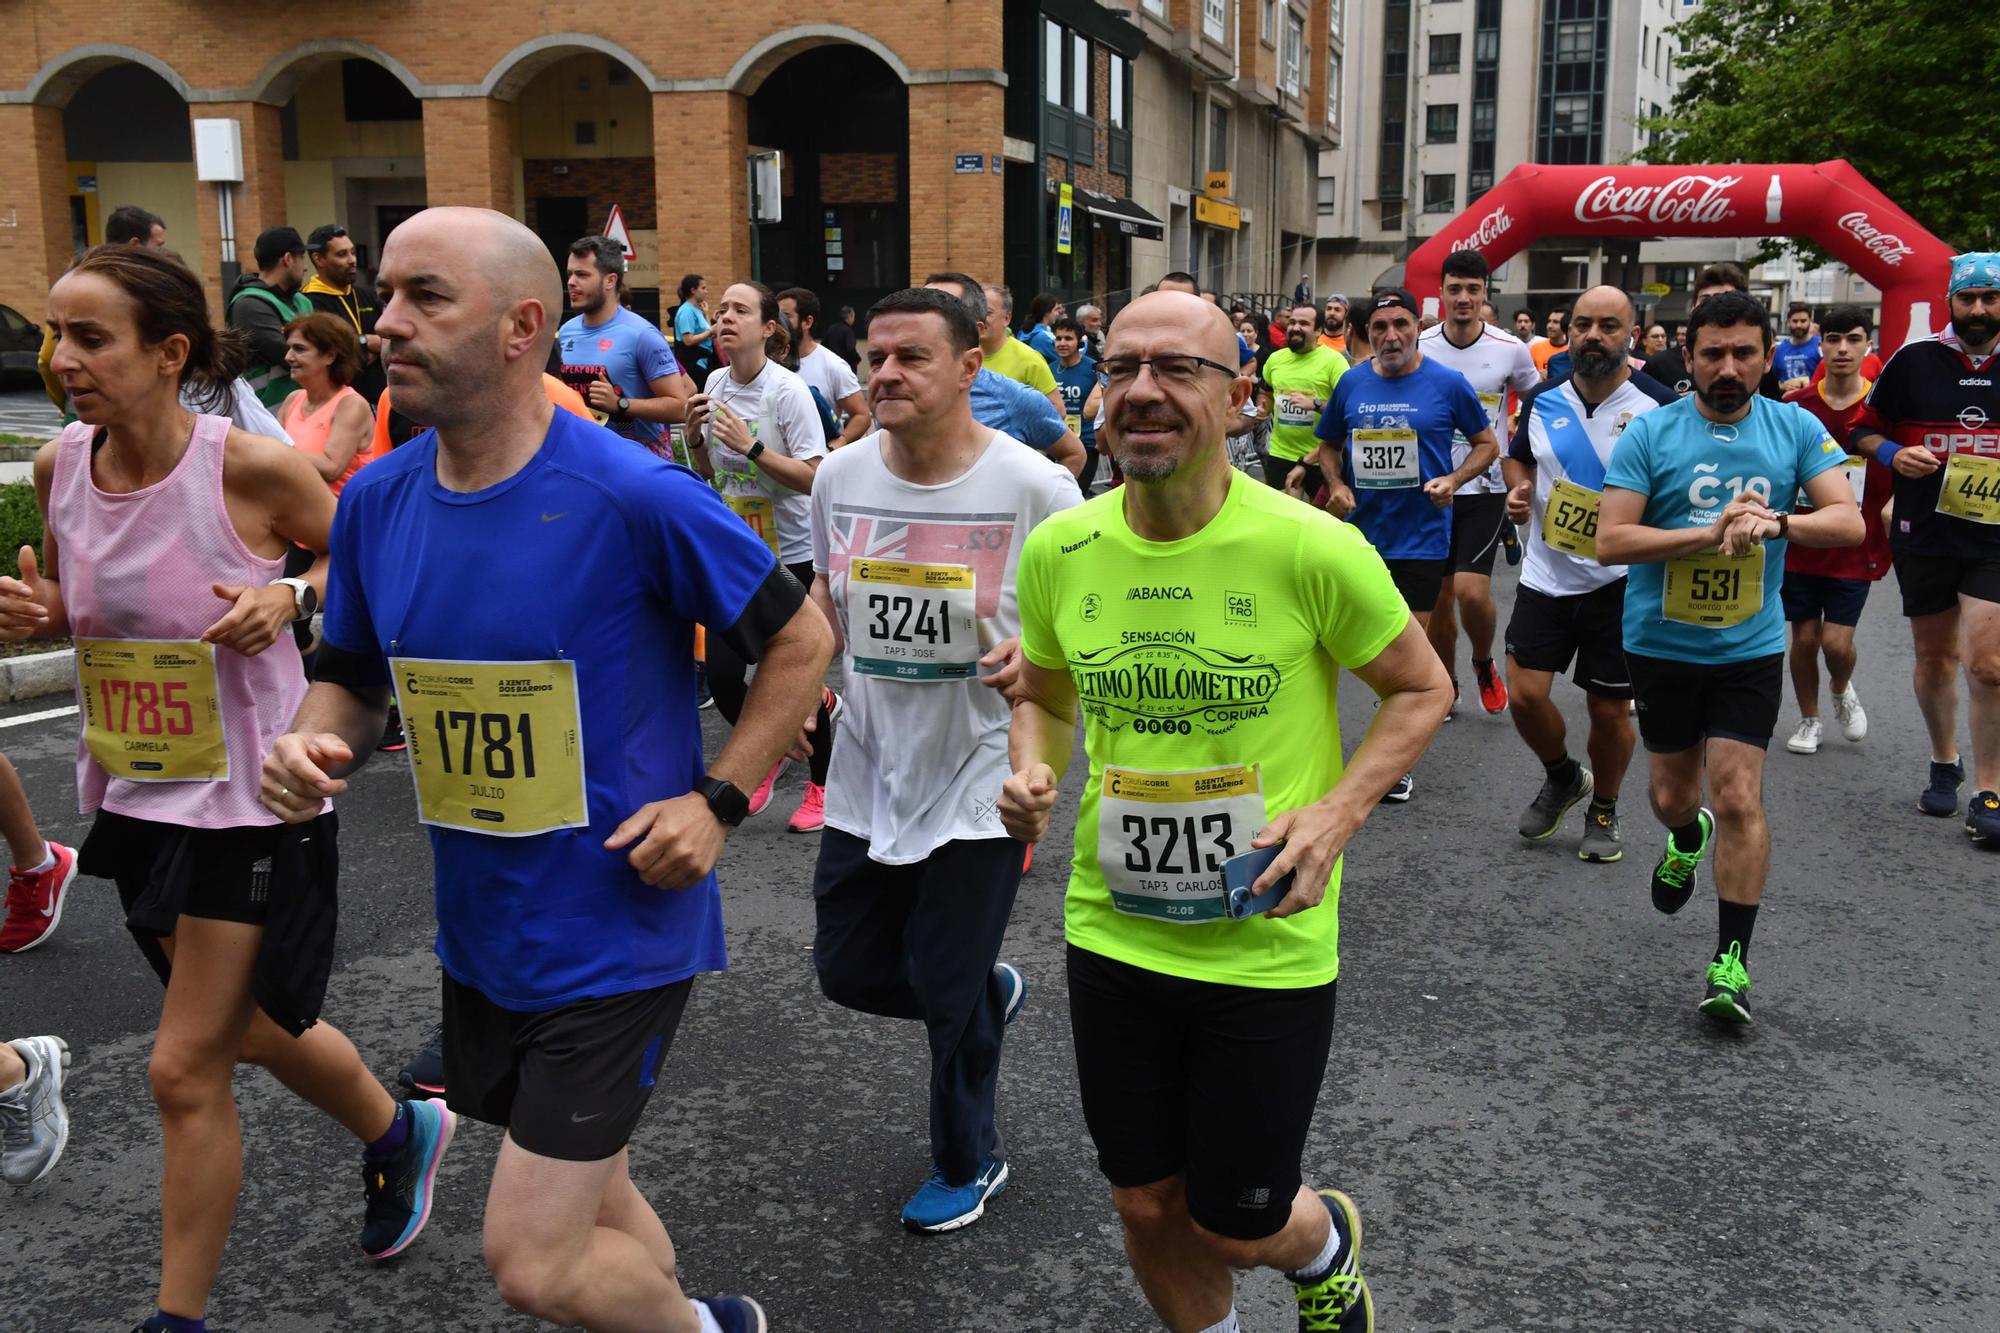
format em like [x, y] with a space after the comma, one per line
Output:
[1207, 674]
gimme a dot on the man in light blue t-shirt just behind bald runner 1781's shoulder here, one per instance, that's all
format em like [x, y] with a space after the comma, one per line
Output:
[615, 359]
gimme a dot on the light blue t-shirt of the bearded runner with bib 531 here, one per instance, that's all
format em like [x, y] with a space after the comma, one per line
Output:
[1689, 469]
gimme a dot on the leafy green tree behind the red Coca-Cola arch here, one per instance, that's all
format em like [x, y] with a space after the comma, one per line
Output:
[1901, 91]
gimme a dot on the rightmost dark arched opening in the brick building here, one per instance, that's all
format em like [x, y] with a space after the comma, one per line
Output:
[841, 117]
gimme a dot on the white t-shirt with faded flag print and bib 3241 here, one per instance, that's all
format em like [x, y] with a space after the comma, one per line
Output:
[921, 752]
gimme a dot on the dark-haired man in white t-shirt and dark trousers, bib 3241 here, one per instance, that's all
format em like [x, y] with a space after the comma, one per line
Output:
[917, 533]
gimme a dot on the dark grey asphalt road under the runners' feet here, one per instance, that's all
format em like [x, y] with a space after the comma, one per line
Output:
[1541, 1130]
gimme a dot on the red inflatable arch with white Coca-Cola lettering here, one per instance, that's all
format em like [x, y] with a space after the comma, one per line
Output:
[1829, 203]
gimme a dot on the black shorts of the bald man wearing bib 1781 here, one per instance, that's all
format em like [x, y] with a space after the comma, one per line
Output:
[567, 1084]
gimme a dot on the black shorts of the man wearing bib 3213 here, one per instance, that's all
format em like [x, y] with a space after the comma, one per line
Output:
[1199, 1080]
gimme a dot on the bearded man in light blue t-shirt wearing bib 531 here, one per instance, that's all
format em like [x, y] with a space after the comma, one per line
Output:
[1687, 507]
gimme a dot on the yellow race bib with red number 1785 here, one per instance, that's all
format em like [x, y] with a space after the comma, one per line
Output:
[153, 710]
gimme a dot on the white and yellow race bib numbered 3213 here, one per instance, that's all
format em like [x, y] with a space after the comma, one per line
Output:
[1163, 838]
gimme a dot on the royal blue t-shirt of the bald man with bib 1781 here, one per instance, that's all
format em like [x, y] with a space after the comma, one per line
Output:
[647, 551]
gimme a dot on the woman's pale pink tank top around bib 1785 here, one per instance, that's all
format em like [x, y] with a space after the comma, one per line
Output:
[141, 567]
